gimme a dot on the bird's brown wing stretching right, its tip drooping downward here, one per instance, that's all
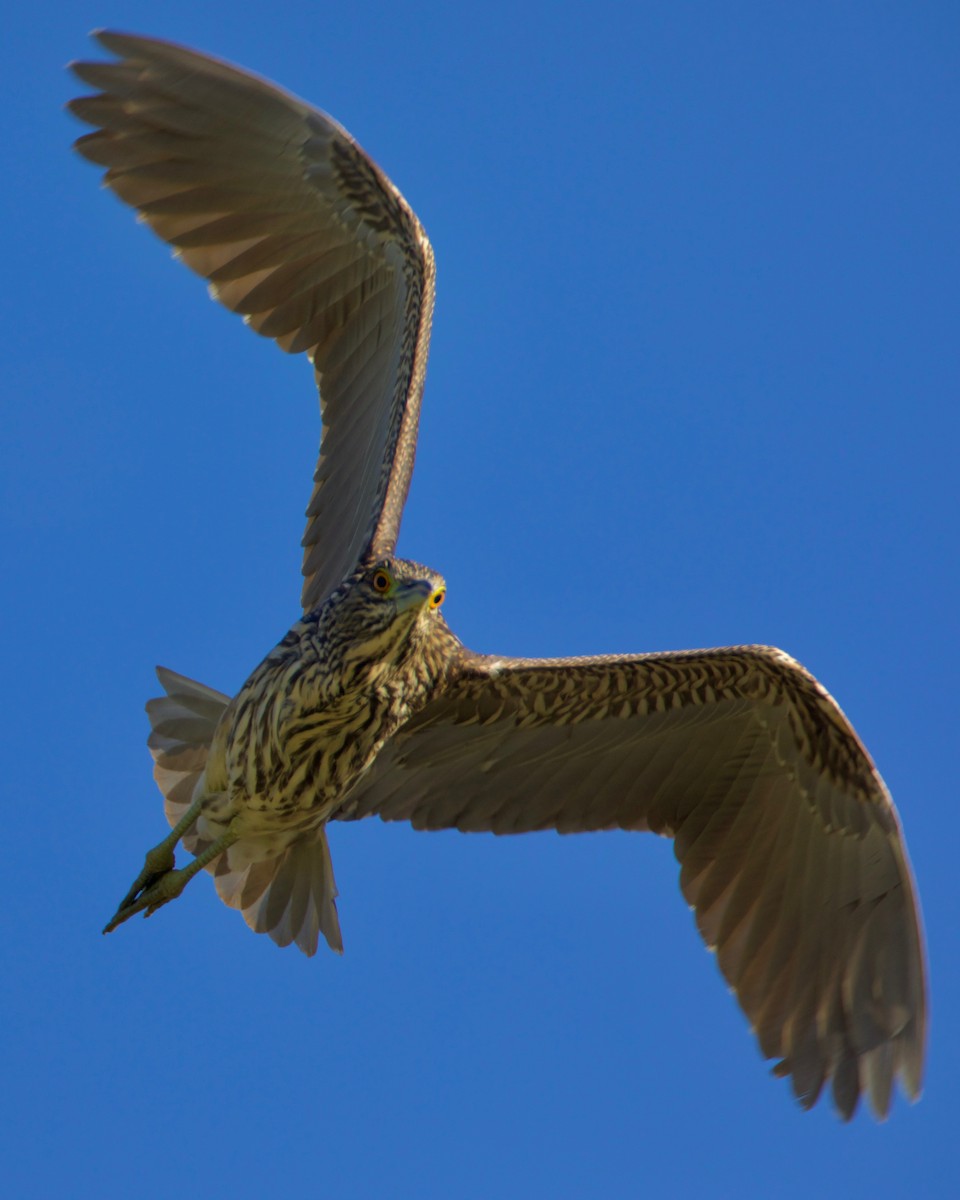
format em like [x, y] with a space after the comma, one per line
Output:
[789, 844]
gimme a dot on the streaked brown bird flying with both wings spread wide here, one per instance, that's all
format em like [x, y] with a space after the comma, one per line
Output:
[790, 848]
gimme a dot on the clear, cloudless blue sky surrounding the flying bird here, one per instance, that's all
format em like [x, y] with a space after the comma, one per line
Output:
[694, 382]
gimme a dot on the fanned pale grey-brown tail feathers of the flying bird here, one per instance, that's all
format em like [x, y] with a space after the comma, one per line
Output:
[292, 897]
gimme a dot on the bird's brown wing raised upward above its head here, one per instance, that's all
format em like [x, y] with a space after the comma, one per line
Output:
[296, 229]
